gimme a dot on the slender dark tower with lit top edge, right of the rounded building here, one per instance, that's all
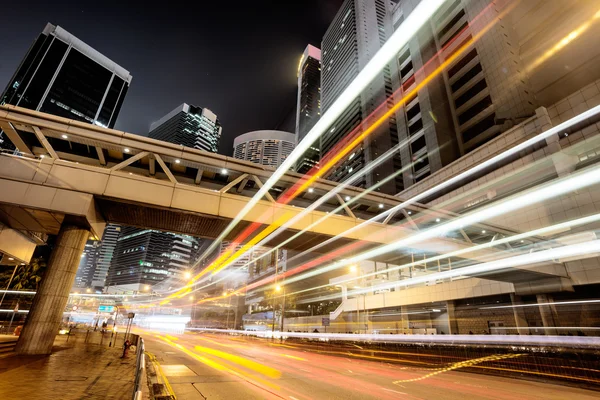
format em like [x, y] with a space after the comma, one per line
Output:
[308, 106]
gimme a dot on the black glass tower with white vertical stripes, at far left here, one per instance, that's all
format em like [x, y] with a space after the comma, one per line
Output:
[62, 75]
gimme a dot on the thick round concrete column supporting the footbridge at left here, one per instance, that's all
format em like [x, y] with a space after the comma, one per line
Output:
[51, 299]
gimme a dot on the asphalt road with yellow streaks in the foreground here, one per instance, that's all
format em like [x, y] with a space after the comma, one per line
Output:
[207, 366]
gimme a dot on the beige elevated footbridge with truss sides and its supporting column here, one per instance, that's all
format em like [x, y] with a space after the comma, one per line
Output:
[70, 178]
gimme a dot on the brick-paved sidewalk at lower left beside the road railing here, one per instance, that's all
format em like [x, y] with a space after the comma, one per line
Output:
[74, 370]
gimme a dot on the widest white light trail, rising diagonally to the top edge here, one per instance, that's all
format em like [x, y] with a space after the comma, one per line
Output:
[413, 22]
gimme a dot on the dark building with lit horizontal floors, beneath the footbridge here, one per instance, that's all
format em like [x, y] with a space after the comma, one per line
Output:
[144, 258]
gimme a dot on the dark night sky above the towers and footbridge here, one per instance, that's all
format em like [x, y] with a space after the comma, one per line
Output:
[238, 58]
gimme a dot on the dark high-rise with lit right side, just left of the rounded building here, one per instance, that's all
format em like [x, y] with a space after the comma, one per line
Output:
[190, 126]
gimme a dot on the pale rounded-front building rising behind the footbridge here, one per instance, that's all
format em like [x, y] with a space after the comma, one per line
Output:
[264, 147]
